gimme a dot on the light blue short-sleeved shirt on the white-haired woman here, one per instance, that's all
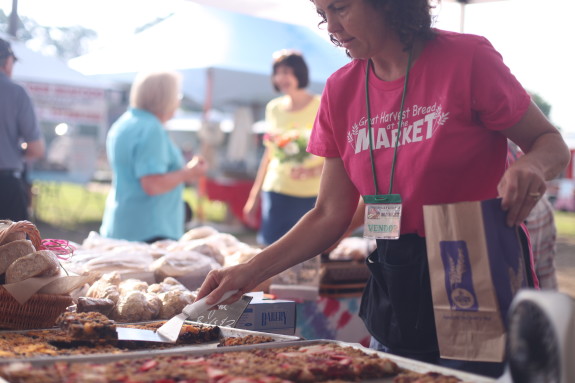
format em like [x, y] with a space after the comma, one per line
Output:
[138, 145]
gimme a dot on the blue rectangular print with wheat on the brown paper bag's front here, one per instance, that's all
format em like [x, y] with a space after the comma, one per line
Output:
[458, 276]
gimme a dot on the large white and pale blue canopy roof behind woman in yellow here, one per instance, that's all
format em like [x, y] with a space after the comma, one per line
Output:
[237, 48]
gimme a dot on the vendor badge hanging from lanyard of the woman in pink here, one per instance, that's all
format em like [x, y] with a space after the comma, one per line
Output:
[382, 216]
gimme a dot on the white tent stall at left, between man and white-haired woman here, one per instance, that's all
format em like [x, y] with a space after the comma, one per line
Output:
[62, 95]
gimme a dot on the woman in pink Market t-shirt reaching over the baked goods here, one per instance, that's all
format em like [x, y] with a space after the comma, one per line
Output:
[457, 104]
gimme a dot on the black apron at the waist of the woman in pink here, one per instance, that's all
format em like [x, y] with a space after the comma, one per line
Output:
[397, 306]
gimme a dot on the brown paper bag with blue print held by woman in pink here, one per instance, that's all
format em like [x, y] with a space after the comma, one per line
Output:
[476, 265]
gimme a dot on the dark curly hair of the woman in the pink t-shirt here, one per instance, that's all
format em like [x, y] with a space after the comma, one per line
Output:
[410, 19]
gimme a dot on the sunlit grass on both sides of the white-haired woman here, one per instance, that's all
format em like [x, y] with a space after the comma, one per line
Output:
[71, 205]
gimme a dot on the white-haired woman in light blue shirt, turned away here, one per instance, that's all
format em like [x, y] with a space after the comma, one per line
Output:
[149, 171]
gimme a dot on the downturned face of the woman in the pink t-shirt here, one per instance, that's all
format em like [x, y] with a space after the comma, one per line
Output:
[356, 24]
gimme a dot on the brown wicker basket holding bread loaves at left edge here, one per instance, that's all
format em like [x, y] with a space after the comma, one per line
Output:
[40, 311]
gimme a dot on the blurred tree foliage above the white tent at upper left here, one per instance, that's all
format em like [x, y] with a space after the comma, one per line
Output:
[62, 42]
